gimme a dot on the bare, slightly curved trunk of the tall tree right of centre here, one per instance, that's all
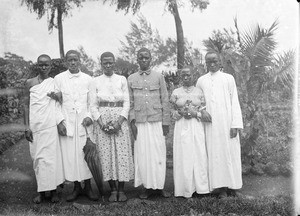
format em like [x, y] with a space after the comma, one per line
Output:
[180, 36]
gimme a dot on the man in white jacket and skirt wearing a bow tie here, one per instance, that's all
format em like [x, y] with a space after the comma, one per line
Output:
[74, 88]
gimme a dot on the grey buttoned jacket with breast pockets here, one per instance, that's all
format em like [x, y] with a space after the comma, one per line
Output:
[149, 100]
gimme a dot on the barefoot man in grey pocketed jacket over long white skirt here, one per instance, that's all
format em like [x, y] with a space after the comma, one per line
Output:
[150, 117]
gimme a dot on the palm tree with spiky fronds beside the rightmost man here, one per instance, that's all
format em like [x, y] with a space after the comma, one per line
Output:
[256, 68]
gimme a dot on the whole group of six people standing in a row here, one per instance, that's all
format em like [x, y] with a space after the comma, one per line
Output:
[60, 112]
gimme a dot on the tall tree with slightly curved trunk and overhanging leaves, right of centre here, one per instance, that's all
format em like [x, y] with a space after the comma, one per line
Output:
[172, 6]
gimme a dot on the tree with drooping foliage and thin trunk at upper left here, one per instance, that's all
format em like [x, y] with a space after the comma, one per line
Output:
[57, 10]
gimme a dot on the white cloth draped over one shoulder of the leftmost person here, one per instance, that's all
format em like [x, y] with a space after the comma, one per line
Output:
[45, 149]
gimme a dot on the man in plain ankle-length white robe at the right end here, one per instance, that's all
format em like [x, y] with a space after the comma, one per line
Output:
[222, 139]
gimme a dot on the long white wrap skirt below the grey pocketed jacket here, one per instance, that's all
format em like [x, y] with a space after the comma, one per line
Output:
[150, 156]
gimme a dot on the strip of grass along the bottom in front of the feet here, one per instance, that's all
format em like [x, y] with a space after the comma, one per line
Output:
[281, 205]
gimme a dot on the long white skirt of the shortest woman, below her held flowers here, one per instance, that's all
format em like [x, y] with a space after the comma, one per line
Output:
[190, 158]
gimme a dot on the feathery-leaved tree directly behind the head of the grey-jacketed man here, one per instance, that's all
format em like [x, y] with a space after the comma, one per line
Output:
[163, 52]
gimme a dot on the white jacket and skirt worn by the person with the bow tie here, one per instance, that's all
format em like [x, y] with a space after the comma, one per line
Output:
[75, 107]
